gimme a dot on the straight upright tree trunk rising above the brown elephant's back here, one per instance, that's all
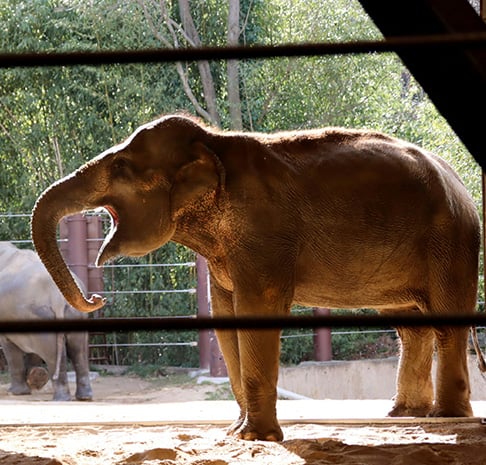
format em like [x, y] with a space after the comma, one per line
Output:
[232, 66]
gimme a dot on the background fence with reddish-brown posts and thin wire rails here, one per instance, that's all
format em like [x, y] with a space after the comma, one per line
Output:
[80, 237]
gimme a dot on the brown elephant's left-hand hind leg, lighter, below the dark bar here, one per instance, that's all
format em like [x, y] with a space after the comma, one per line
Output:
[414, 379]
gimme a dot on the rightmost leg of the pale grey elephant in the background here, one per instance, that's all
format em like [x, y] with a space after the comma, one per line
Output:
[77, 352]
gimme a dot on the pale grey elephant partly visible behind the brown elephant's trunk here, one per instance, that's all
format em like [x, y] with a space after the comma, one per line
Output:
[27, 291]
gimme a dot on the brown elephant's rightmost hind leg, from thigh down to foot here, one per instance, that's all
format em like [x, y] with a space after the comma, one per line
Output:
[453, 263]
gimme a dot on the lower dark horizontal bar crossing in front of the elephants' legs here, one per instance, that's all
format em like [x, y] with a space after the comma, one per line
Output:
[264, 322]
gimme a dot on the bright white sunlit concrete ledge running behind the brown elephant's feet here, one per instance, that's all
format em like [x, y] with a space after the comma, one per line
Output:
[221, 412]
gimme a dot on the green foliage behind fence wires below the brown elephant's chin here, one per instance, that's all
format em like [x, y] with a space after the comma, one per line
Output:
[135, 292]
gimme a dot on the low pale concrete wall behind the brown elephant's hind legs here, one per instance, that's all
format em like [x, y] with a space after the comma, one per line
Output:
[362, 379]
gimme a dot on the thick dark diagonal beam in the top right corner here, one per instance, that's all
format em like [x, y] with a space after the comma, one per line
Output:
[454, 79]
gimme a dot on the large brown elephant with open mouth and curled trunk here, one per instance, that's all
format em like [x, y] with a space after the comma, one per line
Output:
[331, 217]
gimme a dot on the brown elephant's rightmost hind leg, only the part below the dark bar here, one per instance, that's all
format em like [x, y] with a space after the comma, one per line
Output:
[452, 398]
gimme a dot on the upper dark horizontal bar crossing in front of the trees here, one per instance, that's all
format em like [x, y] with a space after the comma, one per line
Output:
[426, 43]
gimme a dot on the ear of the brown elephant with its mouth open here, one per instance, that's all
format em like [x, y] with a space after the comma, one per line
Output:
[196, 178]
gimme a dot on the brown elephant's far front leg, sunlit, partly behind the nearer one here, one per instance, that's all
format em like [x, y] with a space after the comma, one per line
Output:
[222, 306]
